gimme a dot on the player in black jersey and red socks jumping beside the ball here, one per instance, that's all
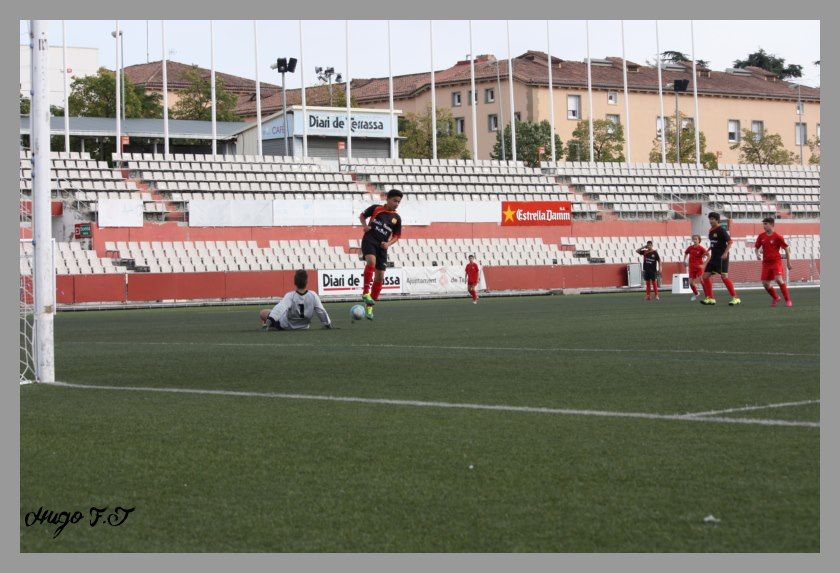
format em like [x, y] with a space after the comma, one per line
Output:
[382, 229]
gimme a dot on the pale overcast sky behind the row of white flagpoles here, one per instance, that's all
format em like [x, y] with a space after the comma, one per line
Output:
[718, 41]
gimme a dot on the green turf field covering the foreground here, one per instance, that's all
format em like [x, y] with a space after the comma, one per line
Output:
[418, 462]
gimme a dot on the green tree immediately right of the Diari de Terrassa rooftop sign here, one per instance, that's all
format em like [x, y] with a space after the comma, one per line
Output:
[417, 130]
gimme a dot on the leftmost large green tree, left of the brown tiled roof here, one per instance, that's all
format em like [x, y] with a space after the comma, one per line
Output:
[95, 96]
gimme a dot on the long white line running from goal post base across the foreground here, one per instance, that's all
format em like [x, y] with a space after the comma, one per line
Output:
[463, 406]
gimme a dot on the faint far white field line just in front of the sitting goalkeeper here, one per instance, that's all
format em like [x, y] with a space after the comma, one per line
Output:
[280, 344]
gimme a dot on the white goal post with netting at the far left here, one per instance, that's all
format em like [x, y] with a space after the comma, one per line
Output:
[37, 266]
